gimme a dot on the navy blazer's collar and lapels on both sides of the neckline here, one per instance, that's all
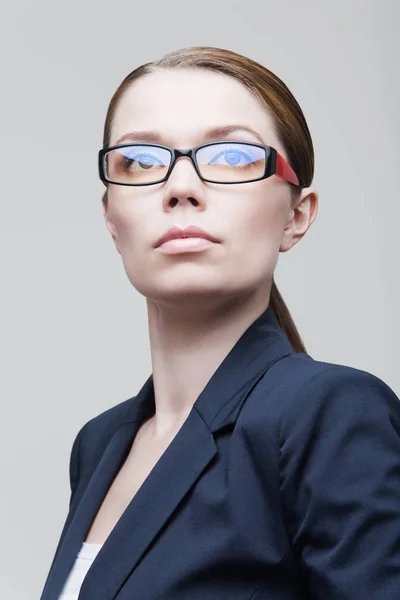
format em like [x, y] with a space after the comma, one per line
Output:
[189, 453]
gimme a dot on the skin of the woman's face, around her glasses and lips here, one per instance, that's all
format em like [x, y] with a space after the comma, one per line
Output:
[251, 220]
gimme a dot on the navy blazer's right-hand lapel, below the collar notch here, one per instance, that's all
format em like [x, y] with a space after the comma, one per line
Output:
[179, 467]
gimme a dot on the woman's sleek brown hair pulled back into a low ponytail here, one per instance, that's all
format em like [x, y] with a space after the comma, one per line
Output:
[290, 124]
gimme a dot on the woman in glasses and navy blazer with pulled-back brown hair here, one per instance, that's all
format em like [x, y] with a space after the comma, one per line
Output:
[243, 468]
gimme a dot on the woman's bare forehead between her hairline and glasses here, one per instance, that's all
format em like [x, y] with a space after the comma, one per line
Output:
[181, 104]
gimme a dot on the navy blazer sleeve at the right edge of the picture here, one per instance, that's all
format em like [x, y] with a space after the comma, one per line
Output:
[340, 484]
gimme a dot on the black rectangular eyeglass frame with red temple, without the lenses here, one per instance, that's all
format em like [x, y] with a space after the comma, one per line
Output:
[275, 163]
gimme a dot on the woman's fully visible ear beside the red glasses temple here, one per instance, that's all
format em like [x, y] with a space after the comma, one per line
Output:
[300, 218]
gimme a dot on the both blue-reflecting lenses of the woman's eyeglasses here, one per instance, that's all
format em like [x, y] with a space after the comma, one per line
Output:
[226, 162]
